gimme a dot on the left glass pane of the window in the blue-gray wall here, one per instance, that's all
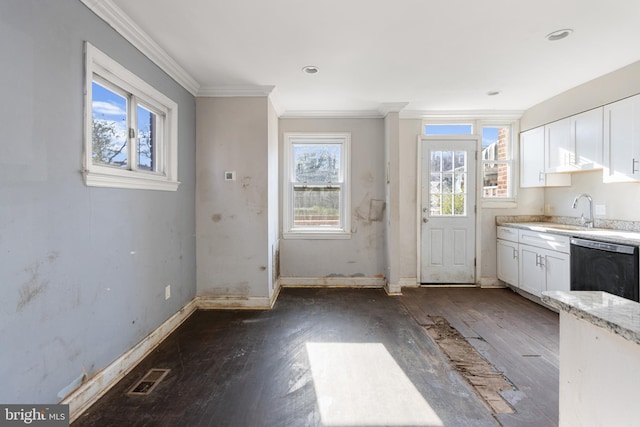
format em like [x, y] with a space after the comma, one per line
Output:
[109, 127]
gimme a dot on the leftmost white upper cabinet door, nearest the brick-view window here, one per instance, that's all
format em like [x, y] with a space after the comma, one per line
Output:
[532, 158]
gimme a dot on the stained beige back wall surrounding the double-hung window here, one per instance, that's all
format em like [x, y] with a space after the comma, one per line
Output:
[364, 253]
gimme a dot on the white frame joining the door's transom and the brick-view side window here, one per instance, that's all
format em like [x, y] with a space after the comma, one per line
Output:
[477, 125]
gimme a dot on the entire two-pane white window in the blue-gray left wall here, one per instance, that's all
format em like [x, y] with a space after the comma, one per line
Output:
[130, 129]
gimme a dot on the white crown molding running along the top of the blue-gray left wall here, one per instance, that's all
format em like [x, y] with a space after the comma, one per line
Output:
[125, 26]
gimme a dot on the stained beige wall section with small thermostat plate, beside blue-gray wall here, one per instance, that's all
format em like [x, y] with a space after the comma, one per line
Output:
[233, 234]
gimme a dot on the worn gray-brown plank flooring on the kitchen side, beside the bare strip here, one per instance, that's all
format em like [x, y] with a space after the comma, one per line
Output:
[516, 336]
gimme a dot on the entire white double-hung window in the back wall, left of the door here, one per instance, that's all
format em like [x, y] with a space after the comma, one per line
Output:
[316, 192]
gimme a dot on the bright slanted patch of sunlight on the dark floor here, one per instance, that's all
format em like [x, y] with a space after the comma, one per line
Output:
[361, 384]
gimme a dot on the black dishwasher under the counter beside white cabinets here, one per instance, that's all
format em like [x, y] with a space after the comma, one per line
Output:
[601, 266]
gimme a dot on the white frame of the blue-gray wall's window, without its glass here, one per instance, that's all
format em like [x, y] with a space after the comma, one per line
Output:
[106, 70]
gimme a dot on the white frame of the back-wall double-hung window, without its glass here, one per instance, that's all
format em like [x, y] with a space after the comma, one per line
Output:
[344, 230]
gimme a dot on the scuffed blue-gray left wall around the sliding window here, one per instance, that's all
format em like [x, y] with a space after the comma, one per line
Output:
[82, 270]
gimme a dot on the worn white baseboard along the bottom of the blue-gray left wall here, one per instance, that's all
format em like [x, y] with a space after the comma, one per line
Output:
[95, 387]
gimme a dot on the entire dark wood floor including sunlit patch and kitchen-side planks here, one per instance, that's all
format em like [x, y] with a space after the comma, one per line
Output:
[338, 357]
